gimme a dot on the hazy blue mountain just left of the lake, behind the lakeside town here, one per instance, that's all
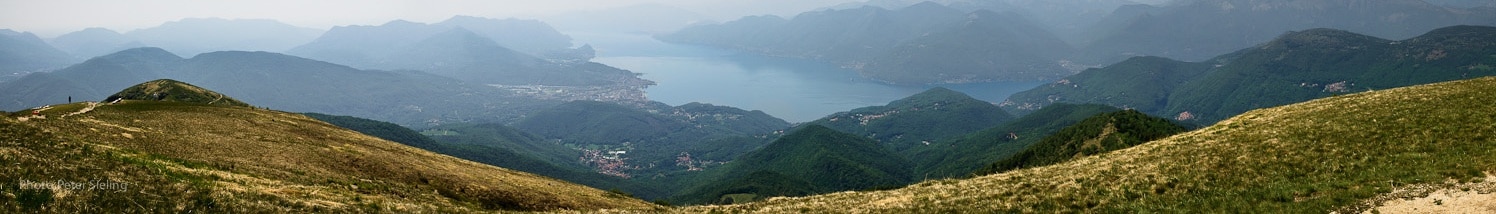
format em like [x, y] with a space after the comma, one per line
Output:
[475, 50]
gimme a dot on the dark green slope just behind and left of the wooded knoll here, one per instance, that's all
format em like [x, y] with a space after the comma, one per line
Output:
[964, 155]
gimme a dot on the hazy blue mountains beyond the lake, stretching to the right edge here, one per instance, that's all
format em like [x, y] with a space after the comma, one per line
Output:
[963, 41]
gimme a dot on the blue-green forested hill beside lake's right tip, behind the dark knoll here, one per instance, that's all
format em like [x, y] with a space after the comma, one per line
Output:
[1141, 83]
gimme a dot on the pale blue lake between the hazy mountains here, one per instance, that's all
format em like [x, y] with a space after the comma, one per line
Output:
[791, 89]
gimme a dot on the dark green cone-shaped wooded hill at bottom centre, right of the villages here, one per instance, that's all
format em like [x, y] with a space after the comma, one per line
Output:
[813, 159]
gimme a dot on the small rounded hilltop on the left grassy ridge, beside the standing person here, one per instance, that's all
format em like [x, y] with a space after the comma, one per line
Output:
[170, 91]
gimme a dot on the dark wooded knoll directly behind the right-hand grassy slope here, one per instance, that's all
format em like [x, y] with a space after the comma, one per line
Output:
[1096, 135]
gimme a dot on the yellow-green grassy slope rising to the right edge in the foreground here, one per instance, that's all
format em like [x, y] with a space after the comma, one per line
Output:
[1307, 158]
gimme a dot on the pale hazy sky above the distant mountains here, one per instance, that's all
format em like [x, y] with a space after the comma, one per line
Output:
[56, 17]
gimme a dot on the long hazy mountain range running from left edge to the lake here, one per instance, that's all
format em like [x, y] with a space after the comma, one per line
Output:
[469, 49]
